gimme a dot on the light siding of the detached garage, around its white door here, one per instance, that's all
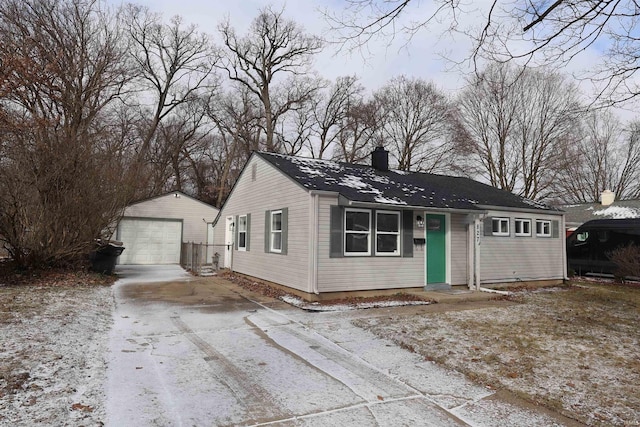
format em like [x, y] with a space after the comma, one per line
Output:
[191, 211]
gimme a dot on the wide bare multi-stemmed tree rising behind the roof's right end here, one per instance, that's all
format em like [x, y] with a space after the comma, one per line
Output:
[516, 123]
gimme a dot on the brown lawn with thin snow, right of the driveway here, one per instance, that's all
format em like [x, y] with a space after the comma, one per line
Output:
[575, 350]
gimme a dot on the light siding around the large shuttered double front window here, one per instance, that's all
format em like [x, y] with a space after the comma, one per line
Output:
[362, 273]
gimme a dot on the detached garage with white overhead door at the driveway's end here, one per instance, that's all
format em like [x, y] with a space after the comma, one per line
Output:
[152, 230]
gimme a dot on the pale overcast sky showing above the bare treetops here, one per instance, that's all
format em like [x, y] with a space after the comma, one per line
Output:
[422, 56]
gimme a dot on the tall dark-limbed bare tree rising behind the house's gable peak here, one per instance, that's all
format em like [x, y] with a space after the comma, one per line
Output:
[272, 61]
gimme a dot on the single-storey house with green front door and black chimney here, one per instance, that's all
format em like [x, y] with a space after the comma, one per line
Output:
[319, 226]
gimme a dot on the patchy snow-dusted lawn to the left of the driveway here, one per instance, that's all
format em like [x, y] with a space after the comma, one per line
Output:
[52, 345]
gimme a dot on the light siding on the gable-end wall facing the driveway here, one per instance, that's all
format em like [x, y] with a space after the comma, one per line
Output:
[271, 190]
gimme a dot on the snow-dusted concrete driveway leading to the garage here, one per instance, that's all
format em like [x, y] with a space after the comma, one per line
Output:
[190, 351]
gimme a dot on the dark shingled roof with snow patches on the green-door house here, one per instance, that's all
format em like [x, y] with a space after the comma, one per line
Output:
[361, 183]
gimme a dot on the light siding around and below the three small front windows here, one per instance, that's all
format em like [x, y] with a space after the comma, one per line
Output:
[521, 258]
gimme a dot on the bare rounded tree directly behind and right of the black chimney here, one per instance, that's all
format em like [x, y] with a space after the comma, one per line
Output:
[415, 125]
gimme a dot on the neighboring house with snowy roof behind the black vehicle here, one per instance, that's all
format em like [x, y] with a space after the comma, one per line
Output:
[608, 208]
